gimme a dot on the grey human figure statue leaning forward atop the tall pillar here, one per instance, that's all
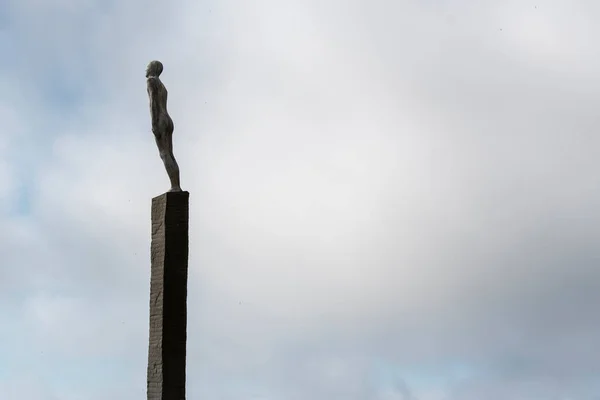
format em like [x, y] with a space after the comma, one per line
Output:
[162, 124]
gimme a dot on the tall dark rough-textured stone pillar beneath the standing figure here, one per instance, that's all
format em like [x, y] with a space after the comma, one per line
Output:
[168, 297]
